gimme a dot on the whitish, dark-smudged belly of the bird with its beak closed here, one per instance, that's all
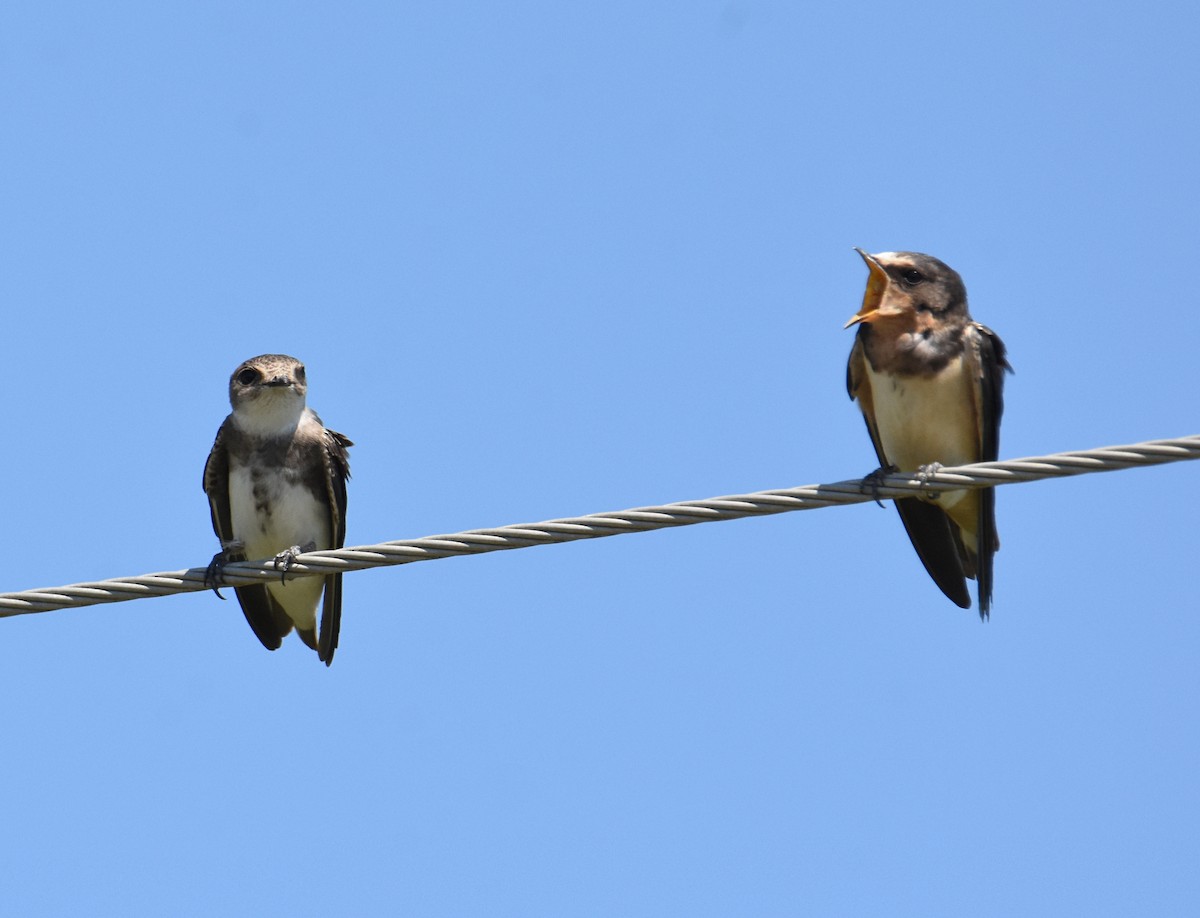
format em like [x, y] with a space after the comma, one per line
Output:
[293, 518]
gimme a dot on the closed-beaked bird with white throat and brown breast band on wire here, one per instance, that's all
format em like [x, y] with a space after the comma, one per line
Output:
[277, 485]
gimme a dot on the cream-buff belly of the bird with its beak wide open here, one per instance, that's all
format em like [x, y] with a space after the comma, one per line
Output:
[922, 422]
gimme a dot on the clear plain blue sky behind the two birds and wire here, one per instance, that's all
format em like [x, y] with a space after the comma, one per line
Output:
[545, 260]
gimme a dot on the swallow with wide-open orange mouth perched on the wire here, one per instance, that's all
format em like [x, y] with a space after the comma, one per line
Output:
[931, 383]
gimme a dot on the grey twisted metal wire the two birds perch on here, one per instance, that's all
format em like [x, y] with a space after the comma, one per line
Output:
[596, 526]
